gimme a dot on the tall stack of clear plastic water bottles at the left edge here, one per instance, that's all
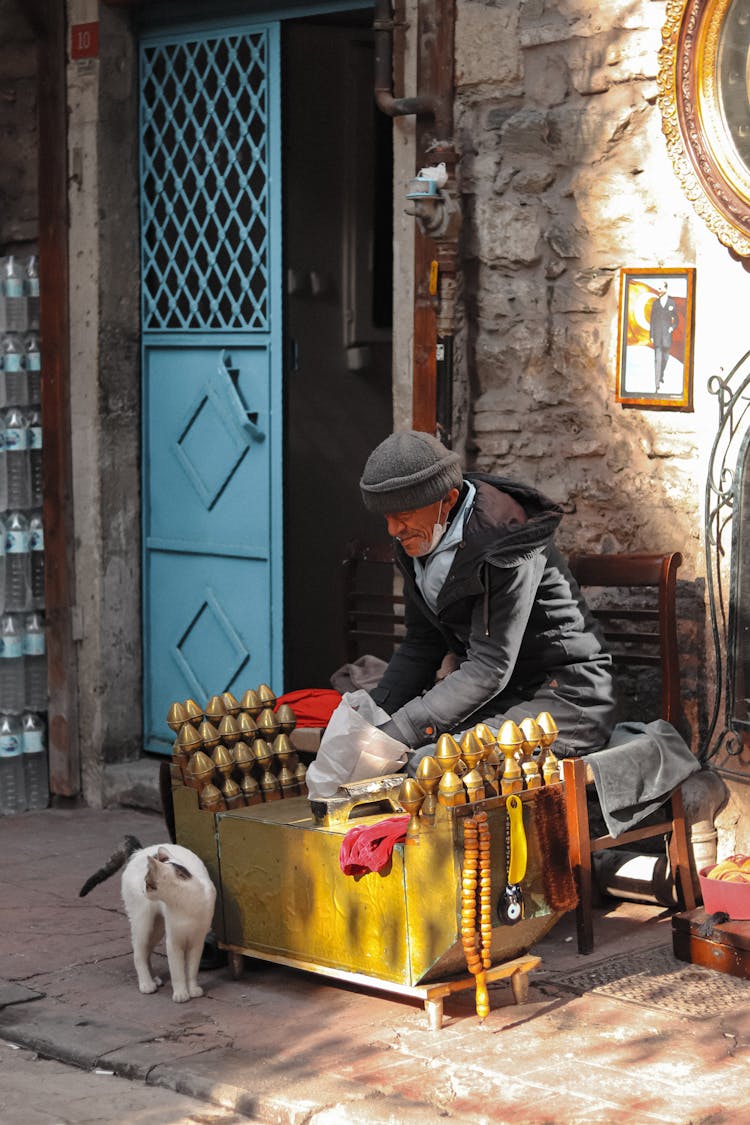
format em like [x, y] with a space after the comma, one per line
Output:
[24, 767]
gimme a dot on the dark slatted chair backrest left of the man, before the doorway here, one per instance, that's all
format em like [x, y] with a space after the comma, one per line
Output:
[374, 607]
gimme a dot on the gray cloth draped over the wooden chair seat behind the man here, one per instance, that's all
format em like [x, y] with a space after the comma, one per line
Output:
[638, 770]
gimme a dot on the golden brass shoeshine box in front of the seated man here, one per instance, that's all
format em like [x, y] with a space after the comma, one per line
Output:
[282, 892]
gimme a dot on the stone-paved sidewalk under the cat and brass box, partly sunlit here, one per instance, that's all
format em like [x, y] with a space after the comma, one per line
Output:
[286, 1047]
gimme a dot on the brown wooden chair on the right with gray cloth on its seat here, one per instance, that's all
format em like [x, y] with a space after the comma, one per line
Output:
[638, 635]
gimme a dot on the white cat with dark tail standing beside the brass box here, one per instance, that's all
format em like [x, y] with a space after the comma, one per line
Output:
[167, 893]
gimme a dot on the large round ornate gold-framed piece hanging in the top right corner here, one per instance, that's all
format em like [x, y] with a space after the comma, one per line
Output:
[704, 98]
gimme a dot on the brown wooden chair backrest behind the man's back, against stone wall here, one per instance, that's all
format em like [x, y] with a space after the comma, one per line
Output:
[639, 631]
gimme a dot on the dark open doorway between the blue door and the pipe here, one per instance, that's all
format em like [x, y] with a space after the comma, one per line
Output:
[338, 175]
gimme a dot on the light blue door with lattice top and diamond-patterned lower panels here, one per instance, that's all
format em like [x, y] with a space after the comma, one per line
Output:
[212, 366]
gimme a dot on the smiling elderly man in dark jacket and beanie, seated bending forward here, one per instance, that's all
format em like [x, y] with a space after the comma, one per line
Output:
[484, 582]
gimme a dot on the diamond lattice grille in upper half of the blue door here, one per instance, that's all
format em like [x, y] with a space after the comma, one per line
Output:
[204, 157]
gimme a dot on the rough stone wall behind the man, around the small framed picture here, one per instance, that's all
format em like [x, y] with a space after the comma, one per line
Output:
[566, 179]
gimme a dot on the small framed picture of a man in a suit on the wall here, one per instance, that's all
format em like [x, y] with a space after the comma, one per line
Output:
[655, 339]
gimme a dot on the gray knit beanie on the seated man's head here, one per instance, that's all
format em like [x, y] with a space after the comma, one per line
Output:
[409, 470]
